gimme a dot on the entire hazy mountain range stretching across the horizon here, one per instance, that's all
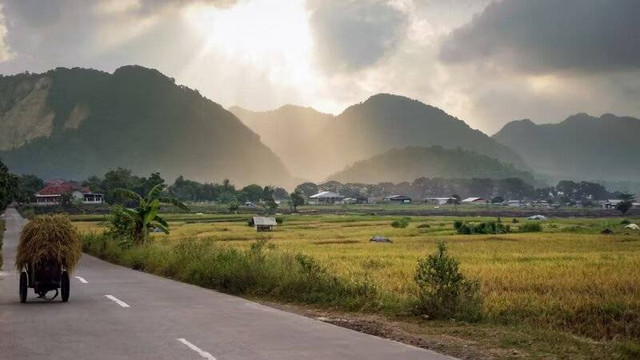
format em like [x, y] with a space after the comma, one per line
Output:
[74, 123]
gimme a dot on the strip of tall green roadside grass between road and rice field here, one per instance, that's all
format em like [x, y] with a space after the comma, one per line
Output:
[260, 270]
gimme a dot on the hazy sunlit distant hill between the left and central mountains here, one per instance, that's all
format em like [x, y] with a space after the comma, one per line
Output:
[295, 134]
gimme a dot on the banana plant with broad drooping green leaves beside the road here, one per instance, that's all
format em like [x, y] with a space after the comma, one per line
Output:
[145, 215]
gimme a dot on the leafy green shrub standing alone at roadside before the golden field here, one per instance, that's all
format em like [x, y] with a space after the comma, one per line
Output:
[444, 292]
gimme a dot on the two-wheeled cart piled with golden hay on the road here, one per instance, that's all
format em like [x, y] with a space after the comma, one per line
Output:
[49, 250]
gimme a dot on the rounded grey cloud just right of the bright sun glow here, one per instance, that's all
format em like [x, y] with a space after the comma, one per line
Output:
[351, 35]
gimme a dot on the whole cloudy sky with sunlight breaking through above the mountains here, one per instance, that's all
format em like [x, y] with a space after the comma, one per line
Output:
[486, 62]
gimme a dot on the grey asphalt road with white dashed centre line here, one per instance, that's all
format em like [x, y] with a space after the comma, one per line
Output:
[118, 313]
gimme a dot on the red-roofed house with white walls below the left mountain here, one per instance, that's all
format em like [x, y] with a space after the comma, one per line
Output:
[52, 193]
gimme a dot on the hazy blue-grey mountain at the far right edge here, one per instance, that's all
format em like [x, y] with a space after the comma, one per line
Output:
[581, 147]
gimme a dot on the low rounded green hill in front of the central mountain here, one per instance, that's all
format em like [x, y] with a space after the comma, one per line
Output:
[414, 162]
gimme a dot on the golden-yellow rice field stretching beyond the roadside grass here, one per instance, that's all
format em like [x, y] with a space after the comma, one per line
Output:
[569, 277]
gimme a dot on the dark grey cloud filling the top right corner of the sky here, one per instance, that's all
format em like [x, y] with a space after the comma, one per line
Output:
[549, 35]
